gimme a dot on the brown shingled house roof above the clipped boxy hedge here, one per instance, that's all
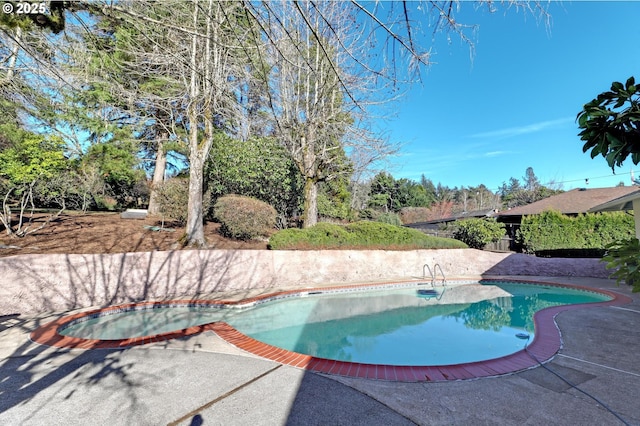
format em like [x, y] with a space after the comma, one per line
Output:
[576, 201]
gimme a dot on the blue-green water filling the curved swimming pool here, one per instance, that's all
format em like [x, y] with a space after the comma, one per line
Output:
[398, 326]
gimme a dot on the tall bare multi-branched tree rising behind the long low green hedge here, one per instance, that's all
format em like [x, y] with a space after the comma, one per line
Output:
[318, 96]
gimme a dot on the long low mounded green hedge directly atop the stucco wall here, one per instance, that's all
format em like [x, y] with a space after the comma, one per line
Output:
[358, 235]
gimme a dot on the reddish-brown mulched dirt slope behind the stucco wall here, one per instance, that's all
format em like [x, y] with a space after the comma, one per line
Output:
[108, 233]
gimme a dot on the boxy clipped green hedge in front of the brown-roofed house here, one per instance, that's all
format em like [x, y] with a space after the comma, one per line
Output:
[551, 230]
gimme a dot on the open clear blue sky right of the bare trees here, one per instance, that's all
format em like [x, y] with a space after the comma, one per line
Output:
[485, 119]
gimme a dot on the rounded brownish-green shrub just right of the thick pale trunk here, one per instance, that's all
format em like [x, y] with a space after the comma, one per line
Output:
[244, 218]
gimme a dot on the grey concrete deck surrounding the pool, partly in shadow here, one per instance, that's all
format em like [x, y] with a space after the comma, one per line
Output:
[202, 379]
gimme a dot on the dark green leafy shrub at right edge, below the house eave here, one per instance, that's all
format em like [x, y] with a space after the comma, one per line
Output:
[624, 257]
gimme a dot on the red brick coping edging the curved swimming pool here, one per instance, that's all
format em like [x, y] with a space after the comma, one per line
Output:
[546, 344]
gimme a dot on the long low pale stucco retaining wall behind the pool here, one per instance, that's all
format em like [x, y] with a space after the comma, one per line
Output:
[49, 283]
